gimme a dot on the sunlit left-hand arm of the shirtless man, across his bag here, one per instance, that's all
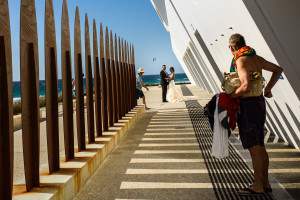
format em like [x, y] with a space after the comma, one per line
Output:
[244, 76]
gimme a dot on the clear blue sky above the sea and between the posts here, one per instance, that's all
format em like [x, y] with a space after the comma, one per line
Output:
[134, 20]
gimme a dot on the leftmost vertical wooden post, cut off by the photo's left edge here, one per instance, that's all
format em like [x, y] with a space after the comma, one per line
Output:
[6, 105]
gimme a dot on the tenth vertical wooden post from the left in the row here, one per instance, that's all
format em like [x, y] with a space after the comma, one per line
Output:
[114, 81]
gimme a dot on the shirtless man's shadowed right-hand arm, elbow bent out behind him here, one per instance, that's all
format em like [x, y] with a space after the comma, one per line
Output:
[271, 67]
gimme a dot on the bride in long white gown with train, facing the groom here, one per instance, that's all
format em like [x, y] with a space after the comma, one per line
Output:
[173, 95]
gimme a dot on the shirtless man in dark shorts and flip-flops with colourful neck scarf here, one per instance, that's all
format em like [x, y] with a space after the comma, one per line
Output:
[253, 110]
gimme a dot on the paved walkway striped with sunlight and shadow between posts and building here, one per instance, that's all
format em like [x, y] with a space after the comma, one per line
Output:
[166, 155]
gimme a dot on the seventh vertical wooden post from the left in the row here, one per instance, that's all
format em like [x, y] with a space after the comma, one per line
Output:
[97, 82]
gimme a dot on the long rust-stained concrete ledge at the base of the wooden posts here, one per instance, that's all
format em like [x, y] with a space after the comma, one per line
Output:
[66, 183]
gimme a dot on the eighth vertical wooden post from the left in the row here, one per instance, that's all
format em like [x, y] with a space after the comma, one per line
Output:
[103, 82]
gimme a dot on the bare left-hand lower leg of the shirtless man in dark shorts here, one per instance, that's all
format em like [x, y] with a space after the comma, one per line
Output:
[258, 166]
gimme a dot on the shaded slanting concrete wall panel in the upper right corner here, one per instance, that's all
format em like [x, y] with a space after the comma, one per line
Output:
[279, 22]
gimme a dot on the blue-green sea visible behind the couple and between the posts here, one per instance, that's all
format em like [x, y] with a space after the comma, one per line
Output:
[147, 79]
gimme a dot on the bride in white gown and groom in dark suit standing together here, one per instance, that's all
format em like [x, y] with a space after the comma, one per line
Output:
[169, 91]
